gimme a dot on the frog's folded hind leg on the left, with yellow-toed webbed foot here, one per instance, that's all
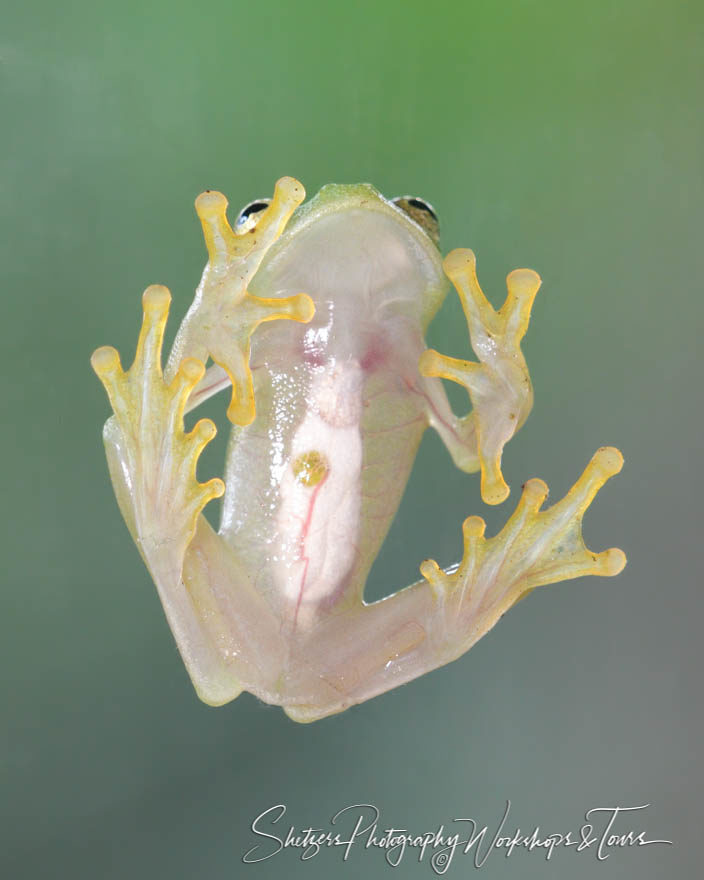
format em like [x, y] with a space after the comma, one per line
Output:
[152, 462]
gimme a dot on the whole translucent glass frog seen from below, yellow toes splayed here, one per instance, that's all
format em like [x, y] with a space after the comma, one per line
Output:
[315, 316]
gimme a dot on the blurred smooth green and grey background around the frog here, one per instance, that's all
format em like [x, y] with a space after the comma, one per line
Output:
[563, 136]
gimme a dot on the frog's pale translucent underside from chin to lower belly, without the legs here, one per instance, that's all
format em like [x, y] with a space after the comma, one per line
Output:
[345, 385]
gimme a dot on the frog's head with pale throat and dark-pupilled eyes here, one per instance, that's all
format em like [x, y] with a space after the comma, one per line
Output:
[349, 244]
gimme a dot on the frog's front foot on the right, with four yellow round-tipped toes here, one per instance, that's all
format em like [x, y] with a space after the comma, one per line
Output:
[498, 385]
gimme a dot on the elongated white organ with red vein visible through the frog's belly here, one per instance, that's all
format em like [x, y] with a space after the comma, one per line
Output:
[320, 493]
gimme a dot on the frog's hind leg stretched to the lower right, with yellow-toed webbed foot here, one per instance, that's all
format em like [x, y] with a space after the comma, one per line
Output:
[368, 649]
